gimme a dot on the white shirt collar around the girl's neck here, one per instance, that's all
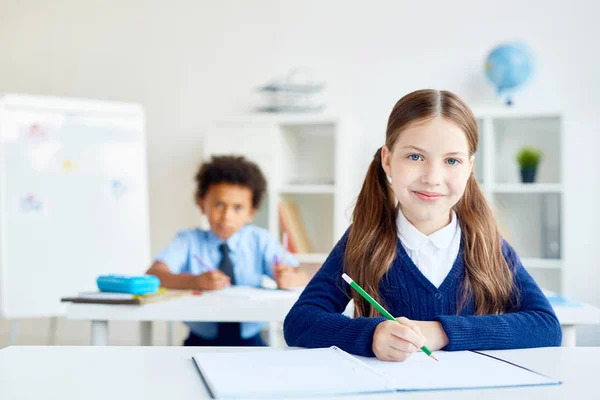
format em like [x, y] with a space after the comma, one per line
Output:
[412, 238]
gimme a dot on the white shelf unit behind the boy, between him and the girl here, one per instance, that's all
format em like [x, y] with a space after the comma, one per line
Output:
[306, 159]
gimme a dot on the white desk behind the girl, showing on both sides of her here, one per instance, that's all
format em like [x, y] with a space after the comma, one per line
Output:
[212, 306]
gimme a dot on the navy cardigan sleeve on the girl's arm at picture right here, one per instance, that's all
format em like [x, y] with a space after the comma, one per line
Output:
[531, 322]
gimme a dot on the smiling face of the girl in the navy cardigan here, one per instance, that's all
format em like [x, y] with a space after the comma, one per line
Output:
[429, 167]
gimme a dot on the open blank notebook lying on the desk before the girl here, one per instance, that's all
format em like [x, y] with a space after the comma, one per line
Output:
[328, 371]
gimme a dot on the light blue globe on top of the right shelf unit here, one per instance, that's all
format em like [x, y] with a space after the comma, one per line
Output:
[508, 67]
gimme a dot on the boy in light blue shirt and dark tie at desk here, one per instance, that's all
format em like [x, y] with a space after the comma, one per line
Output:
[229, 192]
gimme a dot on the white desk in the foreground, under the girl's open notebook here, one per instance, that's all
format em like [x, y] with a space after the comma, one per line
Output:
[159, 373]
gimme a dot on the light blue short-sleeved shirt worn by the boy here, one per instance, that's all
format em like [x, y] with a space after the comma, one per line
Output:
[252, 252]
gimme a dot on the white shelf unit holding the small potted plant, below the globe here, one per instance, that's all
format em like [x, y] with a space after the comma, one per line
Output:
[530, 215]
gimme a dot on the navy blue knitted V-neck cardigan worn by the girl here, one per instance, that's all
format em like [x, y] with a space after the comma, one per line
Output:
[316, 320]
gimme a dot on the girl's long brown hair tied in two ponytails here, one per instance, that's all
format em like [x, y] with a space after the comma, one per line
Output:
[372, 240]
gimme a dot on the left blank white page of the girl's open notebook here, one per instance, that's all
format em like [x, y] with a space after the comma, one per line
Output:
[277, 373]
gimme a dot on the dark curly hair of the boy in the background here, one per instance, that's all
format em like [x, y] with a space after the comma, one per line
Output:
[235, 170]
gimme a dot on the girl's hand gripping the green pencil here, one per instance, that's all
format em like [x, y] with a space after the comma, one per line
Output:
[393, 341]
